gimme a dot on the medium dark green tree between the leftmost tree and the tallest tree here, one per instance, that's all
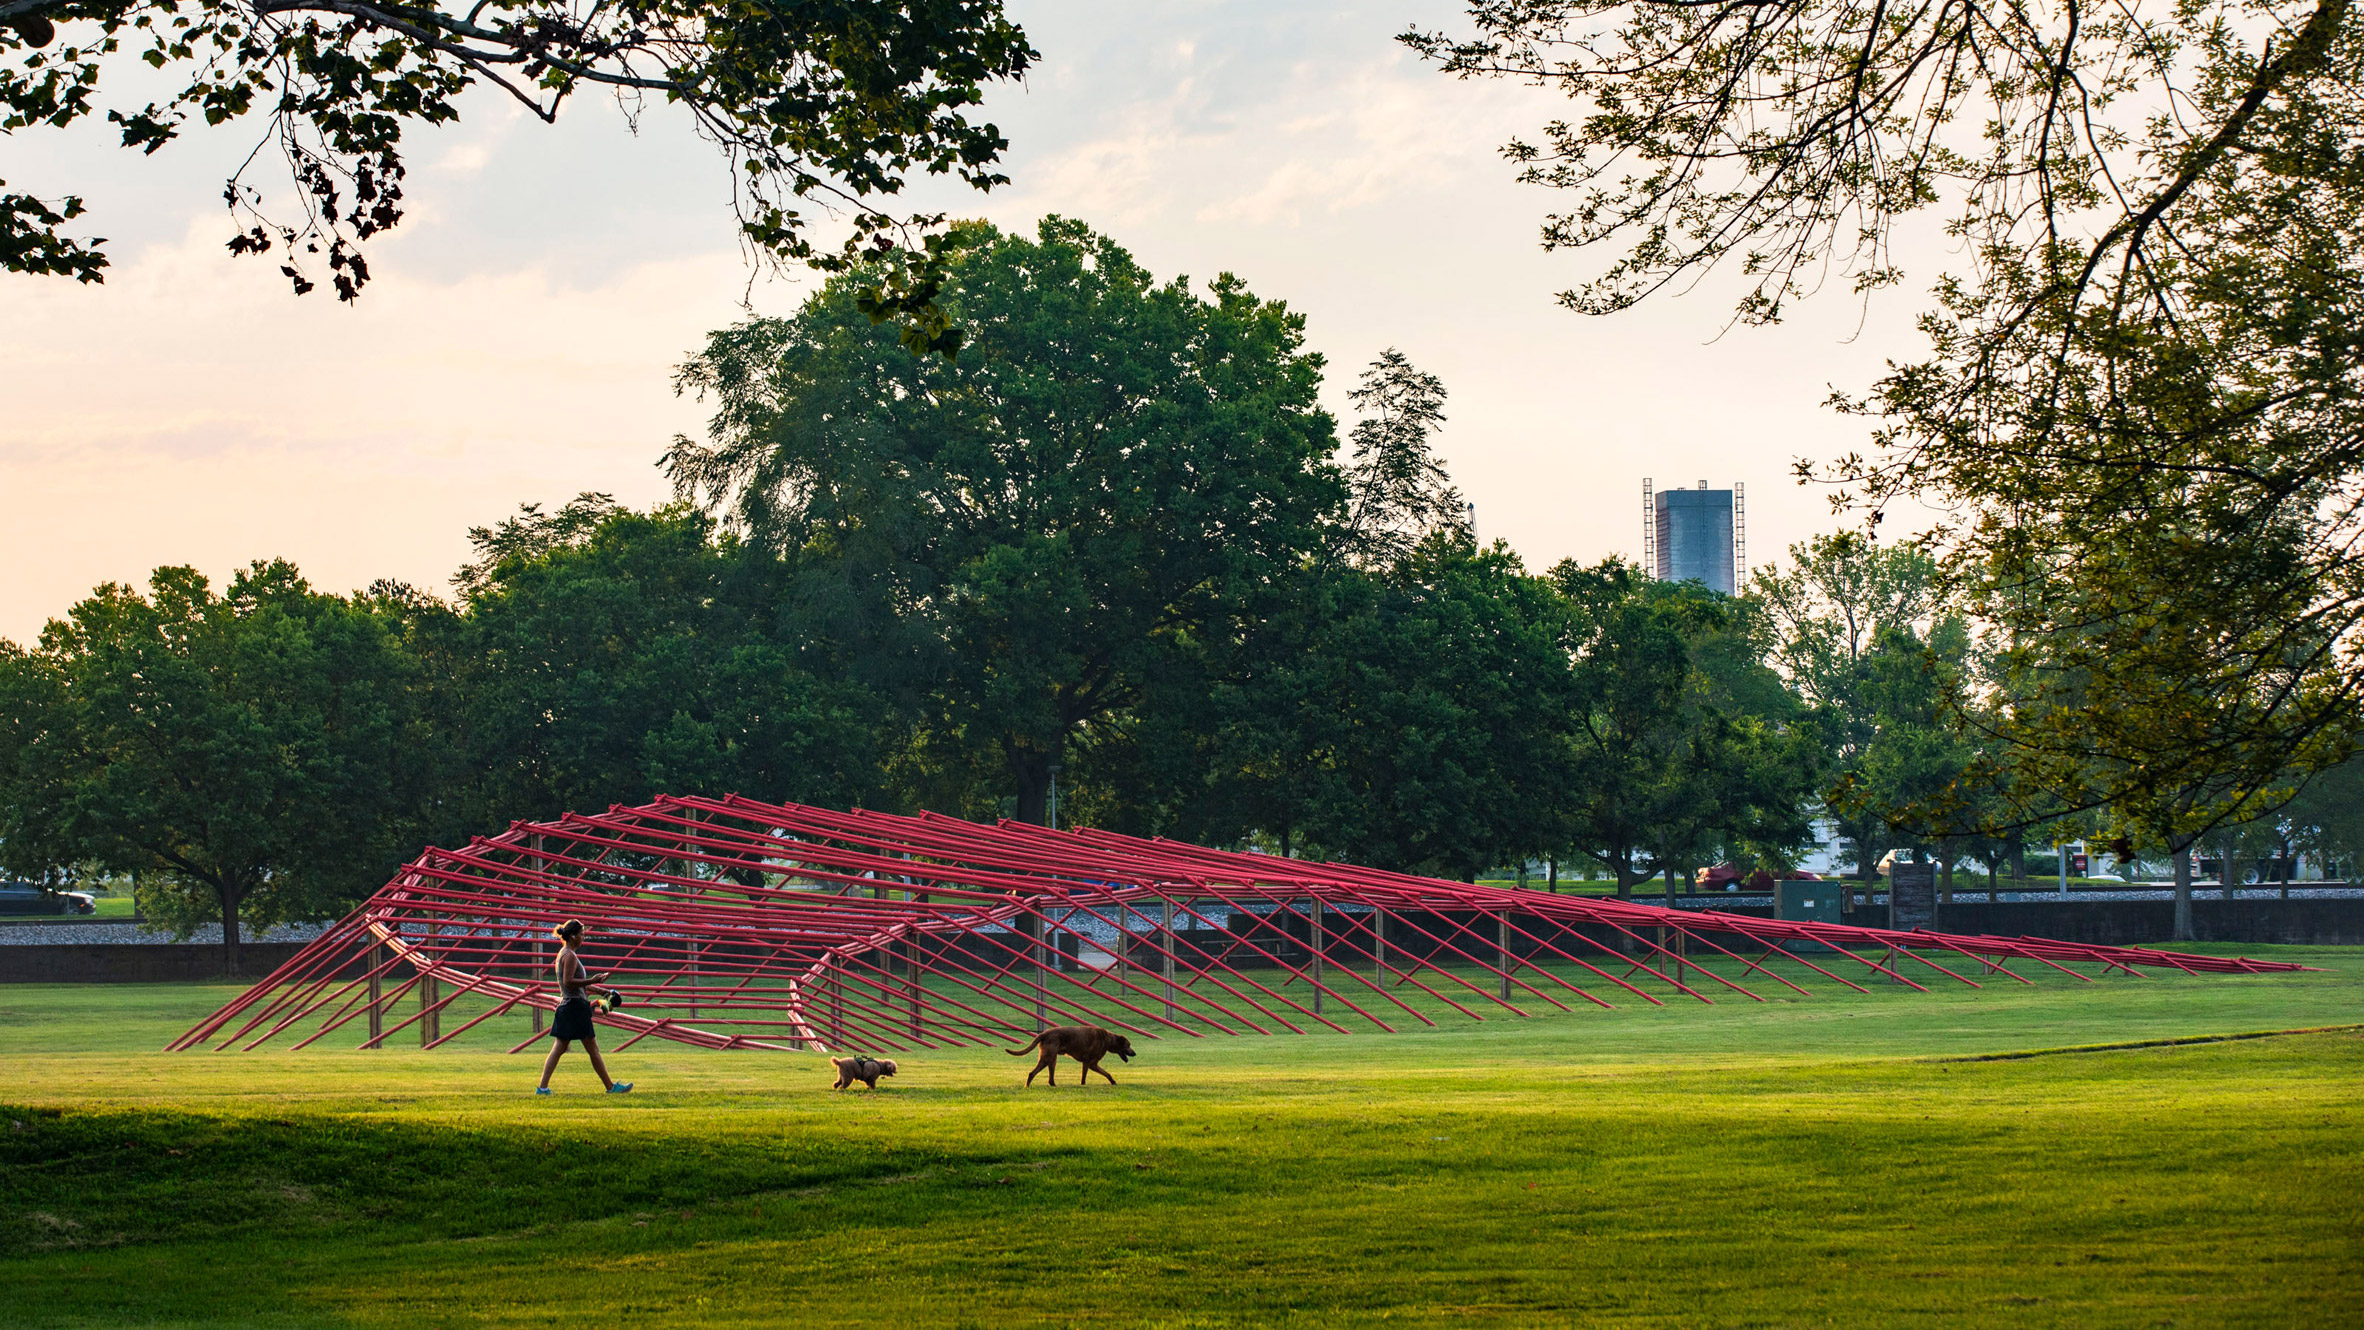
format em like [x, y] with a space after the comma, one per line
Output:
[616, 656]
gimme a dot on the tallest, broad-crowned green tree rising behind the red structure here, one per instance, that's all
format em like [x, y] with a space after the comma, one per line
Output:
[1077, 514]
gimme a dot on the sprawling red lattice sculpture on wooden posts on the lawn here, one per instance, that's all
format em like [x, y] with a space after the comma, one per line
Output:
[739, 925]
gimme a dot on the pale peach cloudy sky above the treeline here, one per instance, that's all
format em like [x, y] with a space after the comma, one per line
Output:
[521, 334]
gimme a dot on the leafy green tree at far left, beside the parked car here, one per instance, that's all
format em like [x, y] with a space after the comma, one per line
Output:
[238, 752]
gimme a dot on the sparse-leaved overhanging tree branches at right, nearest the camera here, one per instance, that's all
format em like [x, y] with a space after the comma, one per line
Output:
[2141, 393]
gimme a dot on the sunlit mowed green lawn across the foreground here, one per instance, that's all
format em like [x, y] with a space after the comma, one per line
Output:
[1788, 1163]
